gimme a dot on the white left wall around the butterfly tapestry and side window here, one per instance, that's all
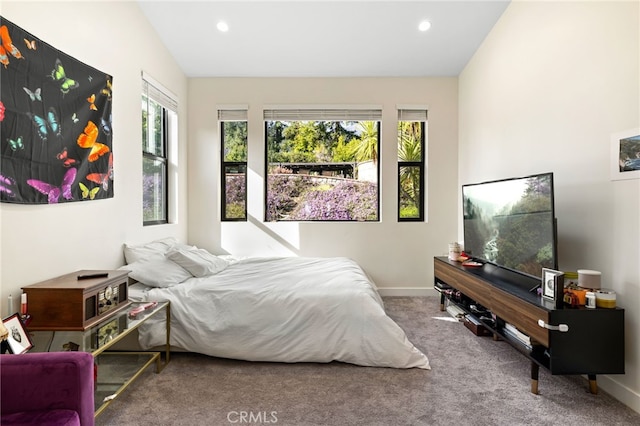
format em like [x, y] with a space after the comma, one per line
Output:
[43, 241]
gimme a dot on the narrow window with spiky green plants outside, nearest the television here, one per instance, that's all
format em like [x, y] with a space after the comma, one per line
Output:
[411, 154]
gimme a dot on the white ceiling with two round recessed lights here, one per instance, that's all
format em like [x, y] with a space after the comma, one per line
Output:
[322, 38]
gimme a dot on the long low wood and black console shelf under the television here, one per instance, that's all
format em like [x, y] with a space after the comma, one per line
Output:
[593, 343]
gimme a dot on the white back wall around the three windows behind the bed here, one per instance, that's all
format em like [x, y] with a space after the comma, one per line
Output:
[398, 256]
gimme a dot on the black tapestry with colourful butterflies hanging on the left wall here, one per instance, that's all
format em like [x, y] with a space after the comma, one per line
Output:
[55, 123]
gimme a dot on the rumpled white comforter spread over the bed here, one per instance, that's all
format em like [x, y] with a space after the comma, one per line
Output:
[287, 309]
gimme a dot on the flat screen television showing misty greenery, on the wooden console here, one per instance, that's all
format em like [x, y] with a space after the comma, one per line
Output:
[511, 223]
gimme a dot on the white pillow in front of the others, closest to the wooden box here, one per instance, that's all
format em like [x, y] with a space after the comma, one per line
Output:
[157, 272]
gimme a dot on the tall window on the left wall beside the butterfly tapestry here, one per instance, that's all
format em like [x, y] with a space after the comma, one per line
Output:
[158, 111]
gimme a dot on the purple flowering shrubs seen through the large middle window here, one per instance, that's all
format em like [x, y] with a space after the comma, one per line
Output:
[298, 197]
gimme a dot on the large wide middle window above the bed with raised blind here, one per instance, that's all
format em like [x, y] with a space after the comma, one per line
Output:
[322, 164]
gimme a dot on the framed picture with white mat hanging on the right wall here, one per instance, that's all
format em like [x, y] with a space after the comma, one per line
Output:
[624, 145]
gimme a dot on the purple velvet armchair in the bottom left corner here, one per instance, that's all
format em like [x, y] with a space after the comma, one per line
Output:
[47, 388]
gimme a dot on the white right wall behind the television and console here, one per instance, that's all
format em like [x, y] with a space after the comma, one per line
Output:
[547, 88]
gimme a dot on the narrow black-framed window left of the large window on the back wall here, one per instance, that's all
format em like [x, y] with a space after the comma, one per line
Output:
[233, 135]
